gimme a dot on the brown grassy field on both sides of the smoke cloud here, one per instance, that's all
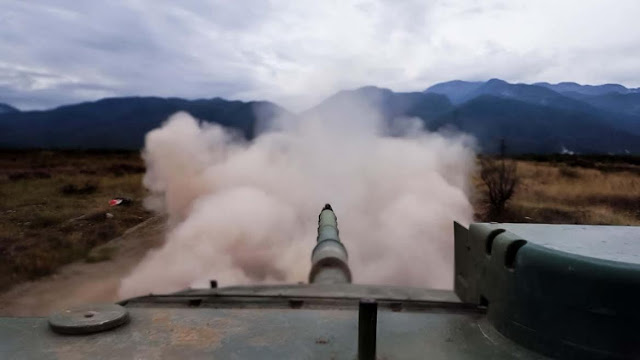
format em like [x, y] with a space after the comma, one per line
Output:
[54, 205]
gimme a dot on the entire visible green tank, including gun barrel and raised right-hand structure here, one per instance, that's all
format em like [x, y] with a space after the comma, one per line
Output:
[525, 291]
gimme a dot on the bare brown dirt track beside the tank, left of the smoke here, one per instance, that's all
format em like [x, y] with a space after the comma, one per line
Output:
[81, 282]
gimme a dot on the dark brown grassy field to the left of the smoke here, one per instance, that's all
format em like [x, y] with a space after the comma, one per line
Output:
[54, 208]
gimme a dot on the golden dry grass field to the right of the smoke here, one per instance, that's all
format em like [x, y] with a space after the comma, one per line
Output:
[560, 193]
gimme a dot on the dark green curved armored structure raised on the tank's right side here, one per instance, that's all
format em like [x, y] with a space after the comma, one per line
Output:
[567, 291]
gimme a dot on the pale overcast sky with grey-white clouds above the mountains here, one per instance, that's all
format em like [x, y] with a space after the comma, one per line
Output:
[297, 52]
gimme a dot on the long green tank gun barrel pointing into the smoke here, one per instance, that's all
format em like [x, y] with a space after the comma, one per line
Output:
[329, 260]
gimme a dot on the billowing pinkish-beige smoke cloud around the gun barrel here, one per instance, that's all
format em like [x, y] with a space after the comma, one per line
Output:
[246, 212]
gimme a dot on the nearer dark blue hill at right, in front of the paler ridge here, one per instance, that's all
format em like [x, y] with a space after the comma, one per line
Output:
[534, 128]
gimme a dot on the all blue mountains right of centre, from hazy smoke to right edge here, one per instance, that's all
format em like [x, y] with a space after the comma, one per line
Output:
[533, 119]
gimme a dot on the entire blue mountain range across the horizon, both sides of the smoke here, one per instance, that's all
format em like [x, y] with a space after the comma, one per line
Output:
[532, 118]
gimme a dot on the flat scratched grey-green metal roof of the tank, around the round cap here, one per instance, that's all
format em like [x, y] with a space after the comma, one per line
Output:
[213, 333]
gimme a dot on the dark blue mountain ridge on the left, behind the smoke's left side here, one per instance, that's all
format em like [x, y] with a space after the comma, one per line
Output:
[121, 123]
